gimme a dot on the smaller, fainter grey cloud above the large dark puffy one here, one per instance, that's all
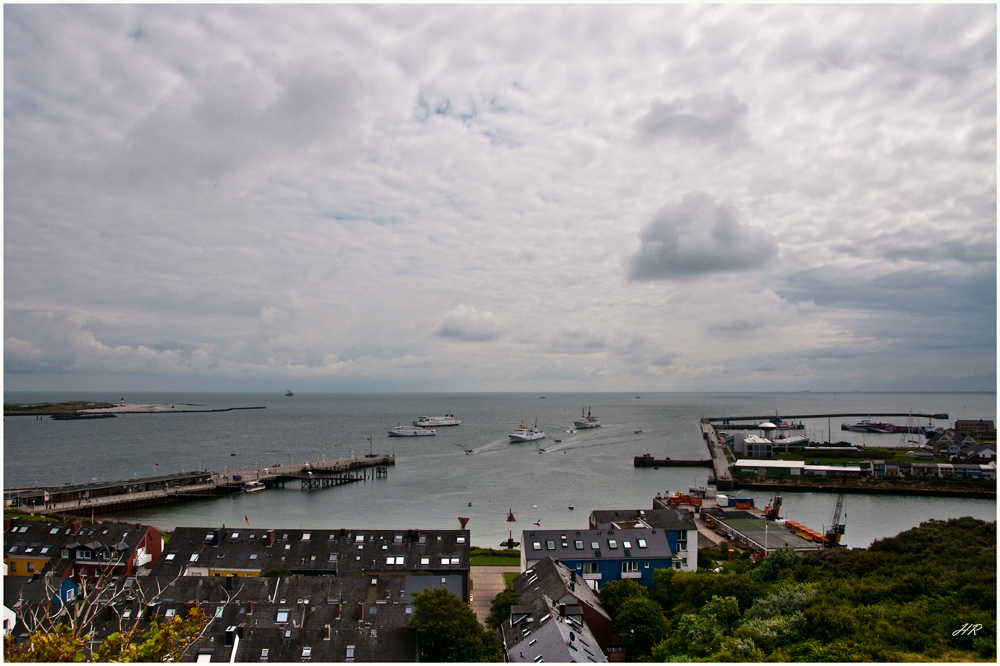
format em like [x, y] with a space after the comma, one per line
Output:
[702, 119]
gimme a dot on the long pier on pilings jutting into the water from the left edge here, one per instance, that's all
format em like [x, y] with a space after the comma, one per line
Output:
[110, 497]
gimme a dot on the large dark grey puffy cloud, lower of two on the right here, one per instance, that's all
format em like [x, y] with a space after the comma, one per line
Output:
[695, 236]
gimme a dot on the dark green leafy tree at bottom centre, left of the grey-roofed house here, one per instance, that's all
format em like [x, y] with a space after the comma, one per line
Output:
[448, 630]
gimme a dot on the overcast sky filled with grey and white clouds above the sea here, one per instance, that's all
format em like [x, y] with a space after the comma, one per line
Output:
[500, 198]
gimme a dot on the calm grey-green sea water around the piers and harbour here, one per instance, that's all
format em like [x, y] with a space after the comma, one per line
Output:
[434, 480]
